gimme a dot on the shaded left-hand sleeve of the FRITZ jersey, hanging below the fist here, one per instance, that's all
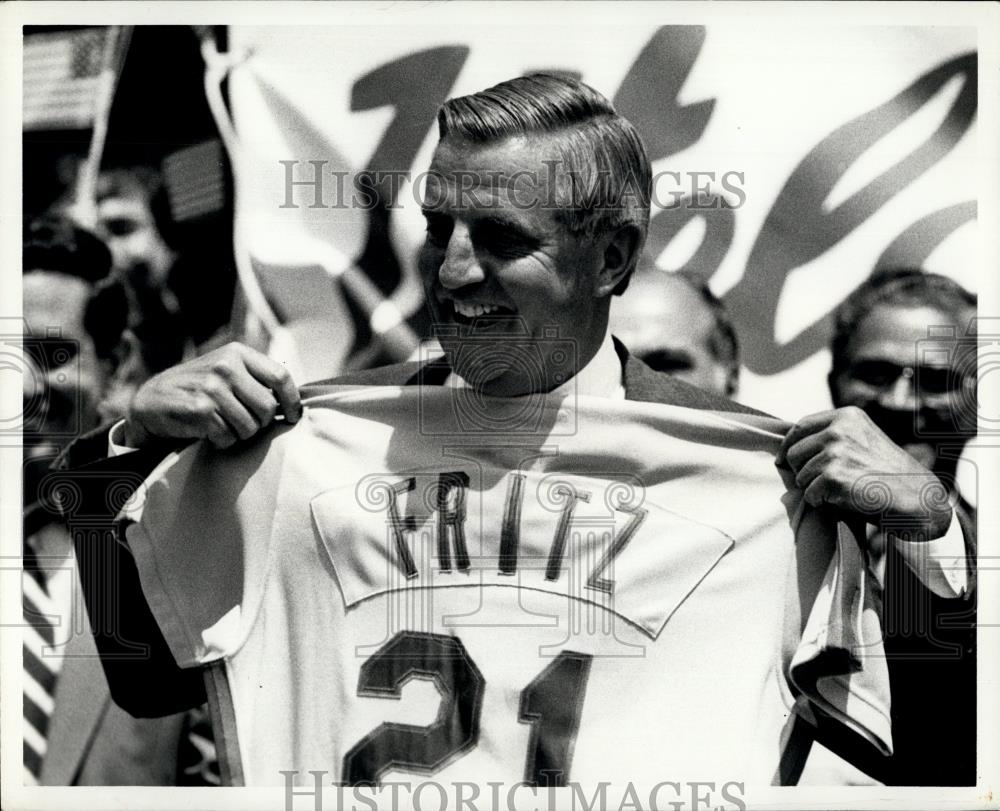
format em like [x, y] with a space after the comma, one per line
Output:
[200, 535]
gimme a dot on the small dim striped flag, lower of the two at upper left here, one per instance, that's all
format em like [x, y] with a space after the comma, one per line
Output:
[195, 180]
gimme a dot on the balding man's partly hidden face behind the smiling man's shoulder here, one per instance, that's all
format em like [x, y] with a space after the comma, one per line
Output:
[667, 324]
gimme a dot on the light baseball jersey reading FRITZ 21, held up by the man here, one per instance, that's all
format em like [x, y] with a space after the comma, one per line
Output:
[421, 583]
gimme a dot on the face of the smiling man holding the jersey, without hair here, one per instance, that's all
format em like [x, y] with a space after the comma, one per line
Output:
[503, 275]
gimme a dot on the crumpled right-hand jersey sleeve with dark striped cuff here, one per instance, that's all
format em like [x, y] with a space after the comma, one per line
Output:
[838, 664]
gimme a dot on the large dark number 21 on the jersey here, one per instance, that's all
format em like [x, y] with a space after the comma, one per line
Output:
[551, 703]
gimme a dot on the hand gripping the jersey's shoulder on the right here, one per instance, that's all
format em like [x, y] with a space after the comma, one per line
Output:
[842, 458]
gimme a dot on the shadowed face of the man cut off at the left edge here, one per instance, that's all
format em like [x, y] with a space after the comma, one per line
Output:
[63, 378]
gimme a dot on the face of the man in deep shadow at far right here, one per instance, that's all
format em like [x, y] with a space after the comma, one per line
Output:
[910, 386]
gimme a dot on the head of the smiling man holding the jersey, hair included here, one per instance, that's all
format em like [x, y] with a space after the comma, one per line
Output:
[531, 227]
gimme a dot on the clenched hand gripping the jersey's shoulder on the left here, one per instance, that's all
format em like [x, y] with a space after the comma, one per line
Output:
[225, 395]
